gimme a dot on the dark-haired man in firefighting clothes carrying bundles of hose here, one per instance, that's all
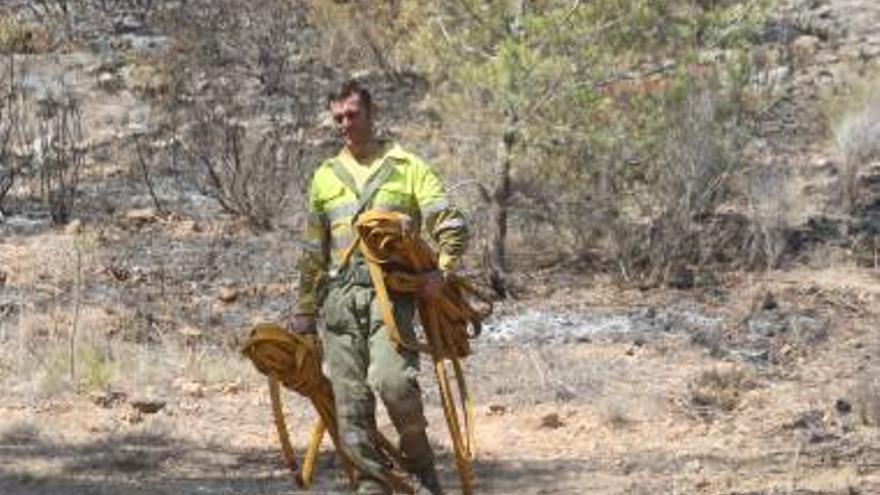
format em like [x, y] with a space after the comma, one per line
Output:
[360, 360]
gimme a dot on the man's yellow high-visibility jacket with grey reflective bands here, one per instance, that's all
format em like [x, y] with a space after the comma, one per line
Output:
[402, 183]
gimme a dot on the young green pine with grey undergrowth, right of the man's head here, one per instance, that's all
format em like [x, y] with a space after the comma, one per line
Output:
[604, 119]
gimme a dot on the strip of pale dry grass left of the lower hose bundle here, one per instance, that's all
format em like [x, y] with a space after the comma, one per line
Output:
[36, 356]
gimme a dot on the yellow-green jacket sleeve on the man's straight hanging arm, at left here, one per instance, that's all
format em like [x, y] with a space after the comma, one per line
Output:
[315, 255]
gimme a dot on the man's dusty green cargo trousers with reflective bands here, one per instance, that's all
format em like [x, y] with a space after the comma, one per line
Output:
[360, 359]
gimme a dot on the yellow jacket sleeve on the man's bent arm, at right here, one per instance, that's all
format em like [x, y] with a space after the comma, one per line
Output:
[442, 222]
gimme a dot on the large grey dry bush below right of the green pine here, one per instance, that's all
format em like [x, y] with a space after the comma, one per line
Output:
[690, 177]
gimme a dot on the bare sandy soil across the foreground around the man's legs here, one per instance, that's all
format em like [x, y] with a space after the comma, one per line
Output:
[619, 412]
